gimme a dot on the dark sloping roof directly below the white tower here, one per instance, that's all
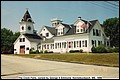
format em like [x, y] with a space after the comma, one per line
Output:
[33, 37]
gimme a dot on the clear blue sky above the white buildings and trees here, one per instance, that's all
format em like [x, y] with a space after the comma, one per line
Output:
[43, 11]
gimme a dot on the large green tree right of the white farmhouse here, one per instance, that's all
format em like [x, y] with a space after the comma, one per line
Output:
[111, 28]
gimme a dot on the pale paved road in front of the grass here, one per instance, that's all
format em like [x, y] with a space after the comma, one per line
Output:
[14, 66]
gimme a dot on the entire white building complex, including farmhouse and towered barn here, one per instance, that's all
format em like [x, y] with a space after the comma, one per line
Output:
[61, 37]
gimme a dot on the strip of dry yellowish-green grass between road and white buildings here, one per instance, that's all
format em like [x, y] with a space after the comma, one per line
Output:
[106, 59]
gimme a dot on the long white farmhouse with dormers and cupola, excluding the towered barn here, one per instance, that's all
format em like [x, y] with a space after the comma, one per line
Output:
[63, 37]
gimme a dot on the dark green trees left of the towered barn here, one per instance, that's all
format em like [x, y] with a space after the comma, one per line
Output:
[7, 40]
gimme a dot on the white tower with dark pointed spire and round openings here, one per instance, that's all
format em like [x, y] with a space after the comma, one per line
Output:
[26, 24]
